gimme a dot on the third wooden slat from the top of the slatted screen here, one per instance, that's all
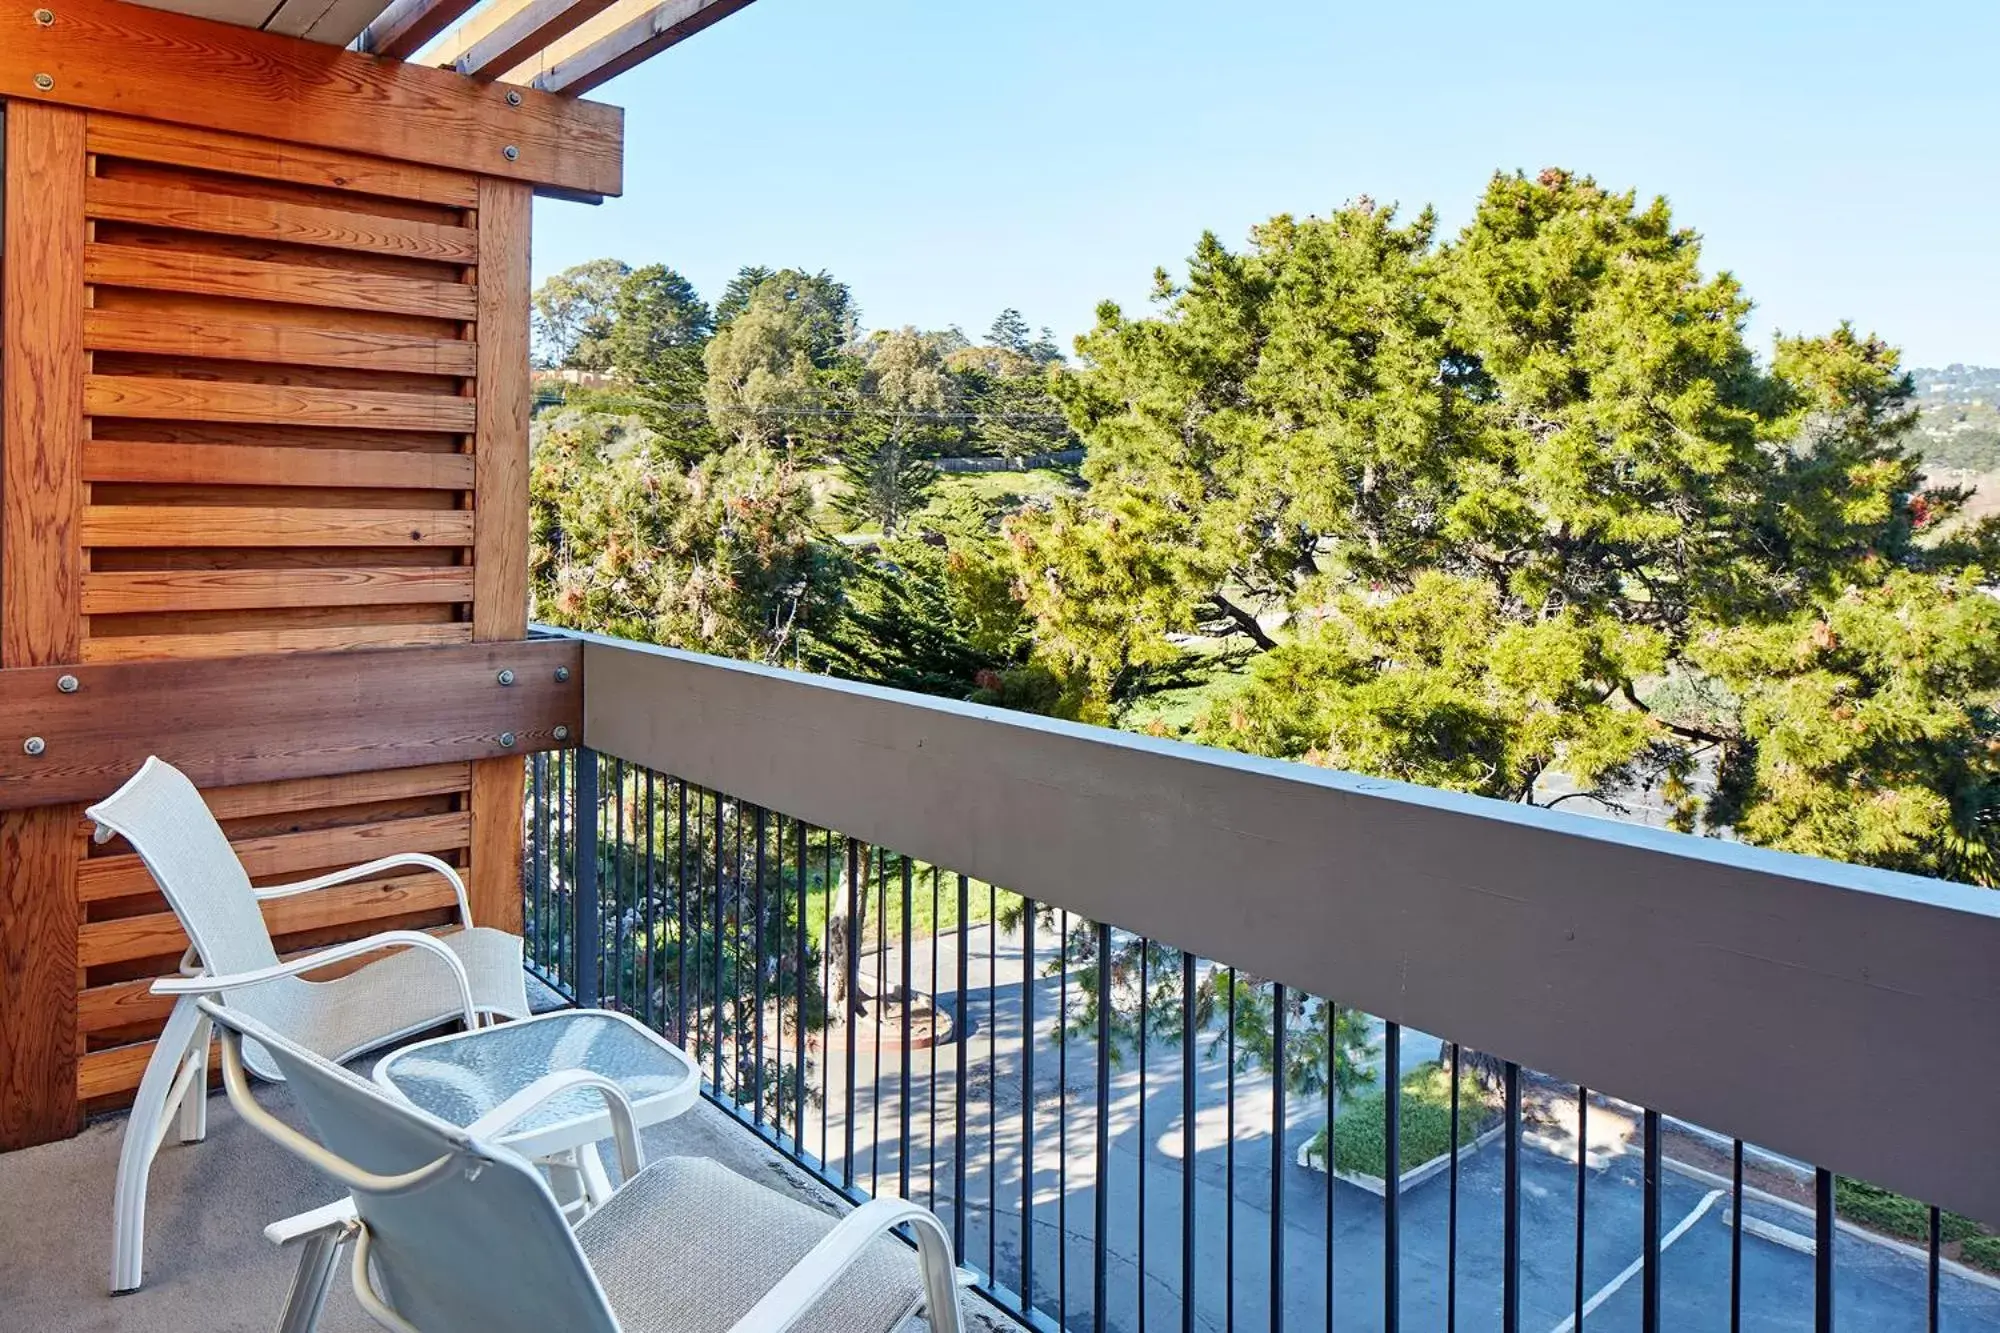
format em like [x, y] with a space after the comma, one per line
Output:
[305, 285]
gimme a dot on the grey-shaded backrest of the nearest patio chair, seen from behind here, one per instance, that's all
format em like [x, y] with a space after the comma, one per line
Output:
[477, 1250]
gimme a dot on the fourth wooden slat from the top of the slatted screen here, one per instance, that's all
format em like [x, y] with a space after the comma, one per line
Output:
[175, 333]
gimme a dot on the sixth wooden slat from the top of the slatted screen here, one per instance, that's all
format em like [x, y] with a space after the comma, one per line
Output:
[249, 465]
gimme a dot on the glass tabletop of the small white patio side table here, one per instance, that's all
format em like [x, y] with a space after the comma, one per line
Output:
[465, 1076]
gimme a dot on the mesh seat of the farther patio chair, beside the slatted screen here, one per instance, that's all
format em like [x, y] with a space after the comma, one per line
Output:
[393, 998]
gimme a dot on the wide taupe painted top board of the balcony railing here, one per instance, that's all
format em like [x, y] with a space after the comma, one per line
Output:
[1819, 1010]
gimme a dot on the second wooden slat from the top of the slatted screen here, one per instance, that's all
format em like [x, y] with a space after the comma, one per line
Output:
[235, 215]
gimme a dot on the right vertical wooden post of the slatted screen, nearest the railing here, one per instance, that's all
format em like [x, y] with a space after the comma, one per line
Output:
[501, 531]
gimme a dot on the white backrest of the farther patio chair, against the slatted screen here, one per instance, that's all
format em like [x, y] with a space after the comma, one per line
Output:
[169, 826]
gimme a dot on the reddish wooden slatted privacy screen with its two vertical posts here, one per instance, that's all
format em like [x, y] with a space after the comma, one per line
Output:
[257, 401]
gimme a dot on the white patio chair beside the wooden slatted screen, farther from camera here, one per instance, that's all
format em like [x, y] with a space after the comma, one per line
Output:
[431, 980]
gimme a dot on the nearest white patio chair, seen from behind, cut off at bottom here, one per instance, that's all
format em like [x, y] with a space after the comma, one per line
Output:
[459, 1236]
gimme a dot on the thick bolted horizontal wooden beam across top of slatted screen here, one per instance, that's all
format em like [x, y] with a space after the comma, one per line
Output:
[111, 57]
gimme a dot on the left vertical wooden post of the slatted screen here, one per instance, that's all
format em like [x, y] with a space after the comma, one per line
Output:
[41, 571]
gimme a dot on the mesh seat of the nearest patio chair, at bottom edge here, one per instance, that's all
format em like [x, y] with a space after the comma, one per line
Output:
[751, 1238]
